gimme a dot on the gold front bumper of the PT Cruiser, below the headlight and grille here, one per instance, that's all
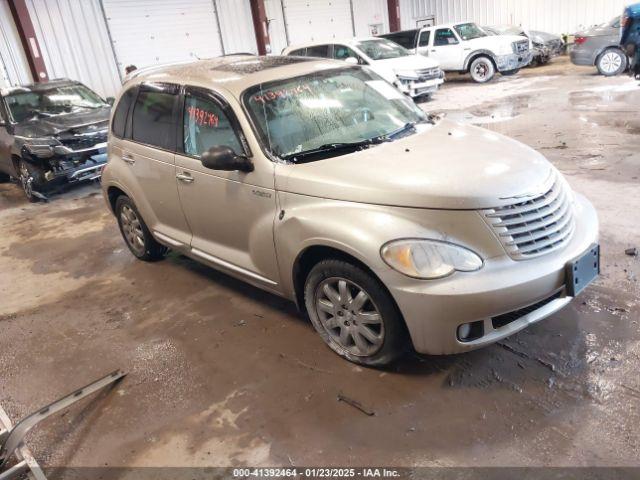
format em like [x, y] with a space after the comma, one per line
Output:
[433, 310]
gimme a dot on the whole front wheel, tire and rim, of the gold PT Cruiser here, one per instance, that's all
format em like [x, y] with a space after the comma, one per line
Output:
[376, 342]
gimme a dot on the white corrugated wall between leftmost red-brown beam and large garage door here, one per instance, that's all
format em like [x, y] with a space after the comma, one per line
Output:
[74, 42]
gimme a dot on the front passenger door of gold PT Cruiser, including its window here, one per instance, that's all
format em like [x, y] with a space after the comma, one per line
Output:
[231, 214]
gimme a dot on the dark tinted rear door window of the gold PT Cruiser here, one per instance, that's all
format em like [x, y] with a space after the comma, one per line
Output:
[153, 122]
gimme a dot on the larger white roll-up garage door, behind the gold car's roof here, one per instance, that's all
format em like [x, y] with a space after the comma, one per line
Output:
[151, 32]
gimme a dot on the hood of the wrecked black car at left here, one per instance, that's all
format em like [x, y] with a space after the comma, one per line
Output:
[49, 126]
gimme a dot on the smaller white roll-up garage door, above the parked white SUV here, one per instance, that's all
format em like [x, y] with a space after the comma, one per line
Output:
[317, 20]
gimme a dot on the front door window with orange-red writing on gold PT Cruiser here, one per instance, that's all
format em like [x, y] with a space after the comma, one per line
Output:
[206, 125]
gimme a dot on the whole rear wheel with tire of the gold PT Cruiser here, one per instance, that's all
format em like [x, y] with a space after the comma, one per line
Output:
[135, 232]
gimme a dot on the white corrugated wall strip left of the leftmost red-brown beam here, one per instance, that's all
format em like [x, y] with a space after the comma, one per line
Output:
[14, 69]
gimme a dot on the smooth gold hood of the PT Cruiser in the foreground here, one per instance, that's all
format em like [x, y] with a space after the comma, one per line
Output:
[446, 166]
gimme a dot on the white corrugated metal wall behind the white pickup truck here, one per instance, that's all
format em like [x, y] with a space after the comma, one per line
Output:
[554, 16]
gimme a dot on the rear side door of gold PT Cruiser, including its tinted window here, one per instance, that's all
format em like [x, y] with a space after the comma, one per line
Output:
[145, 154]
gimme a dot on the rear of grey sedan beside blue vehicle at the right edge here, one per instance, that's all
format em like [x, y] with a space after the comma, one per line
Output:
[600, 46]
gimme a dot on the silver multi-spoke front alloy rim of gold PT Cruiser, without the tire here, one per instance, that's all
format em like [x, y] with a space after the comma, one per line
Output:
[349, 316]
